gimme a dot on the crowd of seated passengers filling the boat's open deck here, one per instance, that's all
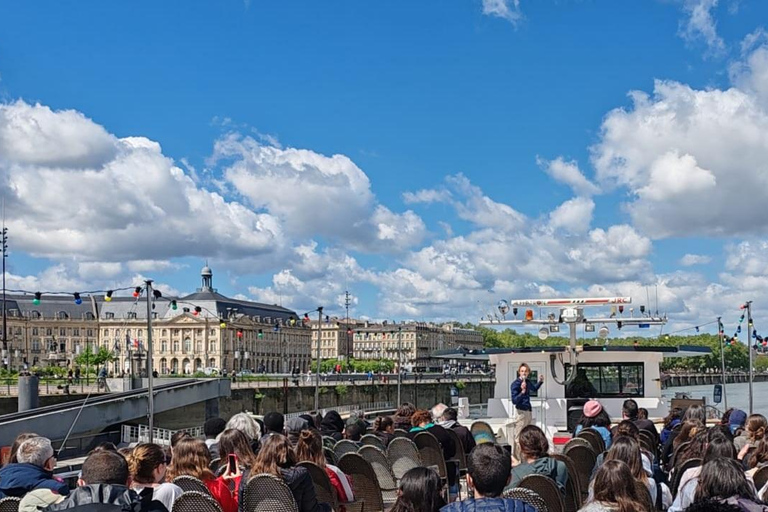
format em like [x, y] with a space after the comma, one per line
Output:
[687, 466]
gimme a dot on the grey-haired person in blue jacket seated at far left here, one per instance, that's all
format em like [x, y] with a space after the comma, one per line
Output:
[34, 470]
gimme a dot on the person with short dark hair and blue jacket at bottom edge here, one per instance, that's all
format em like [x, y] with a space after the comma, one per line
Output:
[488, 473]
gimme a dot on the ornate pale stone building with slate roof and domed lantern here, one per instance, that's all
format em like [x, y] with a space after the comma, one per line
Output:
[192, 333]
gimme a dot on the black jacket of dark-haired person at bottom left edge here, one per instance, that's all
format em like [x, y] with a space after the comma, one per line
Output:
[108, 498]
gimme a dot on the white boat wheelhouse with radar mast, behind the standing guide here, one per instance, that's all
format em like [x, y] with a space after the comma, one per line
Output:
[575, 373]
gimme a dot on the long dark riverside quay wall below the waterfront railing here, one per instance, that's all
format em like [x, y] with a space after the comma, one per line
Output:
[291, 398]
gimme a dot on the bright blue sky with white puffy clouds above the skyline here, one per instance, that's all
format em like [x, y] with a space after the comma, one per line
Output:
[418, 154]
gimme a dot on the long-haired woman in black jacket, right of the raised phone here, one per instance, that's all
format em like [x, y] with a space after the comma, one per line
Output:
[277, 457]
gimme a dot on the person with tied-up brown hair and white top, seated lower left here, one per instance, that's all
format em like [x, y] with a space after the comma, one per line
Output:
[147, 467]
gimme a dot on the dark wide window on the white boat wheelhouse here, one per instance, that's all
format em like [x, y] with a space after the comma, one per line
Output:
[607, 380]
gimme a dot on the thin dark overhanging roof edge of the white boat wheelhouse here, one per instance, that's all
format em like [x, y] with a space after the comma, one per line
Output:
[483, 354]
